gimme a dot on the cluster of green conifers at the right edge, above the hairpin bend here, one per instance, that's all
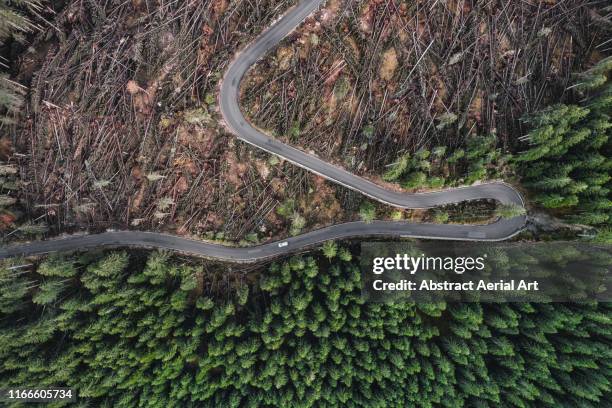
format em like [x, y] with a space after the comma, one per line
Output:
[567, 162]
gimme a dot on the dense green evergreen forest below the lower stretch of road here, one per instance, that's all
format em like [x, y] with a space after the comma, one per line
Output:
[129, 329]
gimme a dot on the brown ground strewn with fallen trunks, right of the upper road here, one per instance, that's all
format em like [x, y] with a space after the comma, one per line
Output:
[363, 83]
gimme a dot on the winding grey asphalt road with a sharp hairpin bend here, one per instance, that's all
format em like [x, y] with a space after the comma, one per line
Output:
[229, 98]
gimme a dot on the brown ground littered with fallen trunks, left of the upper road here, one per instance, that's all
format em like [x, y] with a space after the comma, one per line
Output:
[122, 129]
